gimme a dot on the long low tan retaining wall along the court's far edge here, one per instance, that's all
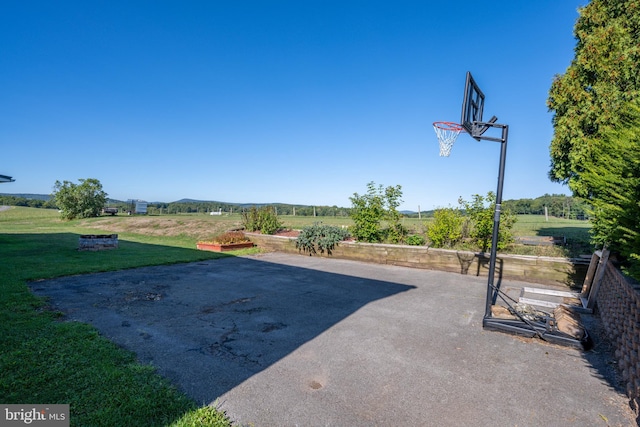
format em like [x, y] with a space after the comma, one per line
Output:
[543, 270]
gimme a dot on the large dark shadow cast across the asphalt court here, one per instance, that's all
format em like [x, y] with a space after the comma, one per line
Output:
[211, 325]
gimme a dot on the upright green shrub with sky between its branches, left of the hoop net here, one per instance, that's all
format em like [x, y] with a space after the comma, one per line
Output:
[369, 210]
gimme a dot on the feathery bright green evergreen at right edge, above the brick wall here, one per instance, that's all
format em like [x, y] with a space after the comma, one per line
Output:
[613, 178]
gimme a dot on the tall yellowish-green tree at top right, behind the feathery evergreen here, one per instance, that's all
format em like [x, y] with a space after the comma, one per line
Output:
[589, 97]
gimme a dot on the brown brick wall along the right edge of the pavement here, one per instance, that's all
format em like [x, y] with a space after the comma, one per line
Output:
[618, 303]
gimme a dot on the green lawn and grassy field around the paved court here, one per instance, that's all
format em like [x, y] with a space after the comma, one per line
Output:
[48, 361]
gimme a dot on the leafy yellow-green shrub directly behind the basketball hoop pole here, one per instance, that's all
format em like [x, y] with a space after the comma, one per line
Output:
[481, 221]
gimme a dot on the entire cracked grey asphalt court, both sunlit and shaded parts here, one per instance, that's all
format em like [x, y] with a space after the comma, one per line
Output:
[292, 340]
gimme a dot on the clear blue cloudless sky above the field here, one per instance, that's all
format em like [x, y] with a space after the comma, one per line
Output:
[290, 101]
